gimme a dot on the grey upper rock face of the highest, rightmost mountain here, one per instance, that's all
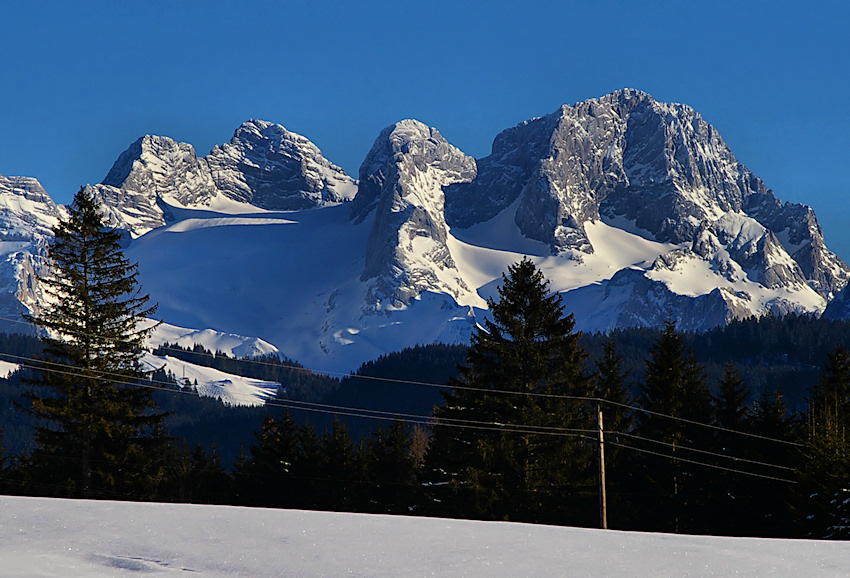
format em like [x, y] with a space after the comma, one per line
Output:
[661, 167]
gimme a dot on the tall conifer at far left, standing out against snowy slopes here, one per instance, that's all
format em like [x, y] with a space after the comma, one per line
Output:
[102, 435]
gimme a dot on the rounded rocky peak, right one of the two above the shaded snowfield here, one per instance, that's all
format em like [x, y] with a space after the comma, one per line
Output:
[269, 167]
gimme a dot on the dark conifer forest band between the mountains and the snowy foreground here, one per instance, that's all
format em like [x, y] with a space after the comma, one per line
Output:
[739, 431]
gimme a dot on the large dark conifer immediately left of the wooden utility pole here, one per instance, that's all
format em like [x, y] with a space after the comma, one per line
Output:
[490, 456]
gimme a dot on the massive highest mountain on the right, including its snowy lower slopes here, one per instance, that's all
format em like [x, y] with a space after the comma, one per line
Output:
[662, 171]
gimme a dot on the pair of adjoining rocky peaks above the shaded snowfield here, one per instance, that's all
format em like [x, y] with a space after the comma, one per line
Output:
[264, 167]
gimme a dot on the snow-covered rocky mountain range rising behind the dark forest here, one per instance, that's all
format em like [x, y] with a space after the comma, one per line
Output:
[637, 211]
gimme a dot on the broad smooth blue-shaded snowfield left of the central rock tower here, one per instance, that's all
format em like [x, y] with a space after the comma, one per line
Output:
[290, 279]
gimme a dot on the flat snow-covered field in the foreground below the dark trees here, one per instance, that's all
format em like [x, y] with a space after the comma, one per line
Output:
[49, 537]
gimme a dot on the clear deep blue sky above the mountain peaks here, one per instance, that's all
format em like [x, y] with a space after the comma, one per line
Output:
[80, 81]
